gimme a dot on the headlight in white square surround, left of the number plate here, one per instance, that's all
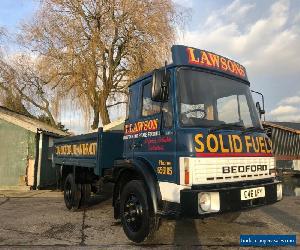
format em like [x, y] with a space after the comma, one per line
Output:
[208, 202]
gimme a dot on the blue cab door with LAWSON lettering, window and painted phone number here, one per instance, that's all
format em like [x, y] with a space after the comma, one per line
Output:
[155, 142]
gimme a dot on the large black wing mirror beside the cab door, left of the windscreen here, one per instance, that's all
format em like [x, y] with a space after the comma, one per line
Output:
[160, 85]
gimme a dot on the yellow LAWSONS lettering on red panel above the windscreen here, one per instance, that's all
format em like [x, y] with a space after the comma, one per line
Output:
[211, 60]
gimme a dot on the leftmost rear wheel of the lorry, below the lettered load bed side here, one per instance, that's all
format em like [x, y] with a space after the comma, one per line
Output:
[72, 193]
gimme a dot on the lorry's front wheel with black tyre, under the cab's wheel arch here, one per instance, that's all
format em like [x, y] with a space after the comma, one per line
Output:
[137, 217]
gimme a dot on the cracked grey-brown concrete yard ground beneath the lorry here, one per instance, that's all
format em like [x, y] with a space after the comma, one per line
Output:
[35, 219]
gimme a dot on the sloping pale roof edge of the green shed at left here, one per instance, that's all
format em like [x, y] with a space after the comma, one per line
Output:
[28, 123]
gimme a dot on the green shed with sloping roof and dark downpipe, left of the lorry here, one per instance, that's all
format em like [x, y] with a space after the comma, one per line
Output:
[25, 151]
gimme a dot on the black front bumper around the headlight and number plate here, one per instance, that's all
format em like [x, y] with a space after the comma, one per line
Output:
[230, 199]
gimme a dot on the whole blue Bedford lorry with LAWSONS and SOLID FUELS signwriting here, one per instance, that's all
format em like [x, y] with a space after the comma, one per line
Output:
[192, 146]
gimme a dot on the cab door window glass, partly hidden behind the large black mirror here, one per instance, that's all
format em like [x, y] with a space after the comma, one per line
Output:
[150, 107]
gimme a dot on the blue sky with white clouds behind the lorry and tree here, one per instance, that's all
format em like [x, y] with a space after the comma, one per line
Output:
[262, 35]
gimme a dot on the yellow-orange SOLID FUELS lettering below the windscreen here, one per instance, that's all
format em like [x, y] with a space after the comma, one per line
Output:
[232, 144]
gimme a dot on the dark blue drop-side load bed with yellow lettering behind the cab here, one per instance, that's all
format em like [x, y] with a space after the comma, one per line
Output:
[96, 150]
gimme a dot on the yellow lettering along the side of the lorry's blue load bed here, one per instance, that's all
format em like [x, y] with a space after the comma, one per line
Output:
[77, 149]
